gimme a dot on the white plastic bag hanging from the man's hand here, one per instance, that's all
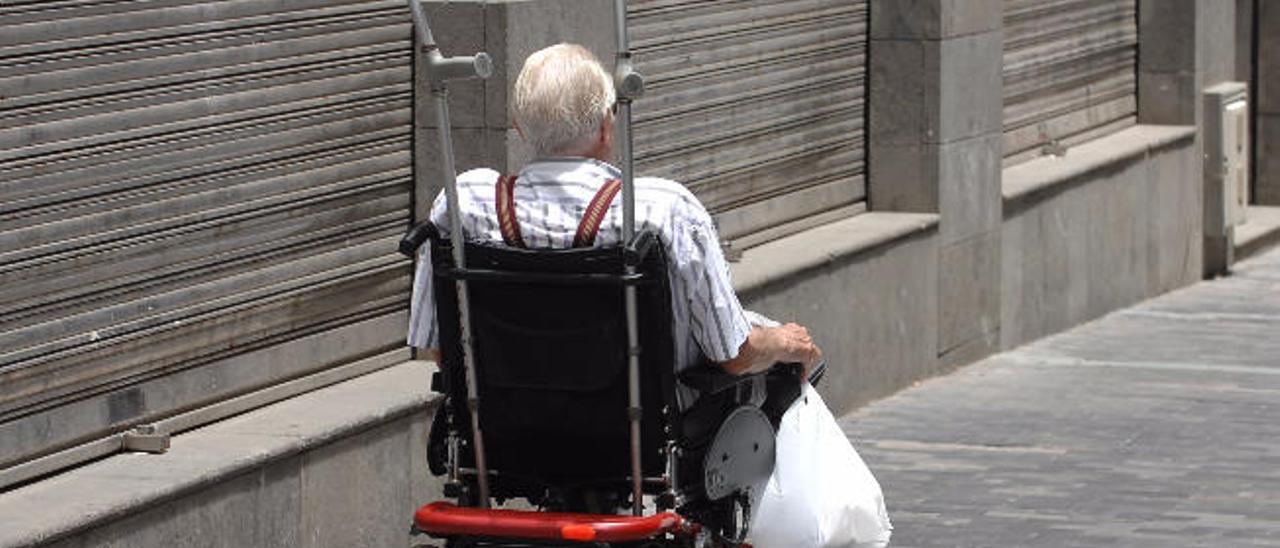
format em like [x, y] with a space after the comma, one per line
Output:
[821, 494]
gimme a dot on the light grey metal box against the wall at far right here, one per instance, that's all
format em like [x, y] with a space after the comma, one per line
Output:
[1227, 159]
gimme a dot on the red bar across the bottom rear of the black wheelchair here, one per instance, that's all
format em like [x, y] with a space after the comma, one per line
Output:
[447, 519]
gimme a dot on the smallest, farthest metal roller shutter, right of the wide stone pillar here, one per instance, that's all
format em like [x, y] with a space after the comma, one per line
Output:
[1071, 72]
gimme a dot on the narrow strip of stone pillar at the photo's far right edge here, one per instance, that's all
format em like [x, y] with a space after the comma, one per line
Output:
[1267, 157]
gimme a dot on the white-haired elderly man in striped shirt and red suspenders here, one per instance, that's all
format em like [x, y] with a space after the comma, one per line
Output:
[564, 108]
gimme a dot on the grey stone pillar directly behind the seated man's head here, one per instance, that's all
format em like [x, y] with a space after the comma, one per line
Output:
[481, 111]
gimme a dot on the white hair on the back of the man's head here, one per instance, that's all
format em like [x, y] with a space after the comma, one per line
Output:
[563, 98]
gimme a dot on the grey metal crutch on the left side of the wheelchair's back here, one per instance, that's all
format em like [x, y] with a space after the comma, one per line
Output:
[441, 70]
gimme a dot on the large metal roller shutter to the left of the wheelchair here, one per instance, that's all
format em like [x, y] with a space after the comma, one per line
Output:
[198, 199]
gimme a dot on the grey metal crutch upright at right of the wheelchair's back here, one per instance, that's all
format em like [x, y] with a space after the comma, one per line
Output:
[630, 86]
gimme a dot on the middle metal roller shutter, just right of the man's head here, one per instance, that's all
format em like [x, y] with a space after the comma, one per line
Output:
[757, 106]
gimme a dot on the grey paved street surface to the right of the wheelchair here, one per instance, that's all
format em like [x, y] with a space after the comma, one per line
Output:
[1154, 427]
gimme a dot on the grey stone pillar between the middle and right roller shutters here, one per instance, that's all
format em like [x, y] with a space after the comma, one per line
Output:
[936, 129]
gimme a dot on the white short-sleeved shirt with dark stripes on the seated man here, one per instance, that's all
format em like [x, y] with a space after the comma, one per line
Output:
[551, 198]
